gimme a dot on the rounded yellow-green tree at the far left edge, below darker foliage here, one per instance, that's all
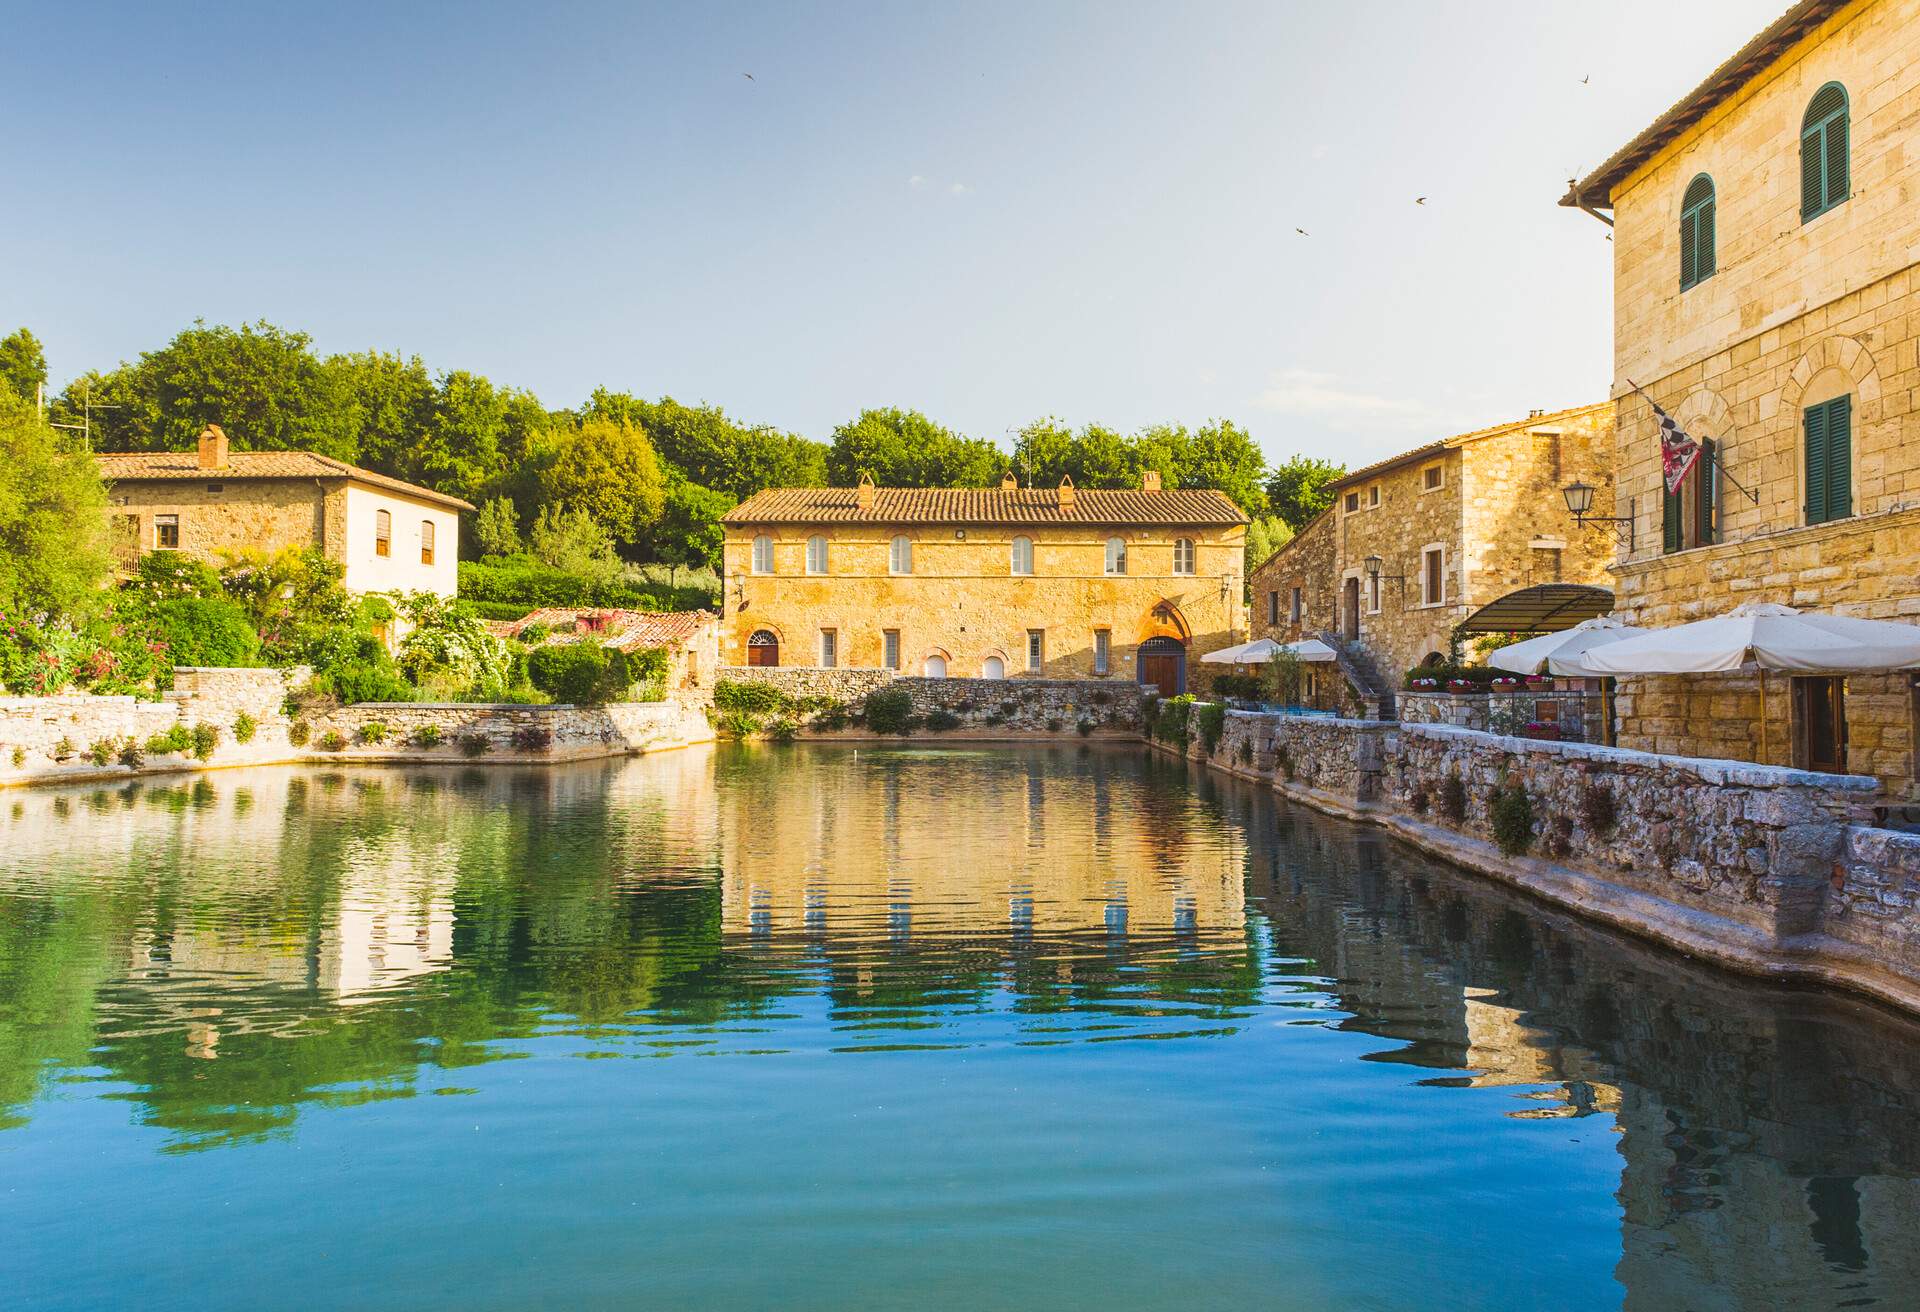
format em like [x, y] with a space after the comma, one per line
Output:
[53, 520]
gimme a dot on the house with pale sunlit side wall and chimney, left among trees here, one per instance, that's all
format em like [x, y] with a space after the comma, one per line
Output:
[389, 535]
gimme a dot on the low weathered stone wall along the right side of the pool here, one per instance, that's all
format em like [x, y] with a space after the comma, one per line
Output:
[1764, 869]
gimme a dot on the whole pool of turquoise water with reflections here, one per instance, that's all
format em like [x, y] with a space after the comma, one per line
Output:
[884, 1029]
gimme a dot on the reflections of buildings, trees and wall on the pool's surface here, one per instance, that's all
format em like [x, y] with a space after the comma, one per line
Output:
[231, 956]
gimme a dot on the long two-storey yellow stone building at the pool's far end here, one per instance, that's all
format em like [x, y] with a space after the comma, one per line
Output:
[986, 583]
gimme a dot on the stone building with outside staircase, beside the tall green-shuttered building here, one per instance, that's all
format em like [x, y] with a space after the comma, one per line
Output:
[1414, 545]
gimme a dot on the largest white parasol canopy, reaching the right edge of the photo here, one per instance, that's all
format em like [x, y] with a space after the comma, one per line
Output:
[1767, 637]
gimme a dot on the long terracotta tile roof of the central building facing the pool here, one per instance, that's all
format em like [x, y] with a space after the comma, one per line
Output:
[986, 506]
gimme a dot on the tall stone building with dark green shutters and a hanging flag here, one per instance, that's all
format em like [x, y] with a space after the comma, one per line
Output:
[1783, 331]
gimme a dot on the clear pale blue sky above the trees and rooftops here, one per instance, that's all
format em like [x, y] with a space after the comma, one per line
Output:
[986, 212]
